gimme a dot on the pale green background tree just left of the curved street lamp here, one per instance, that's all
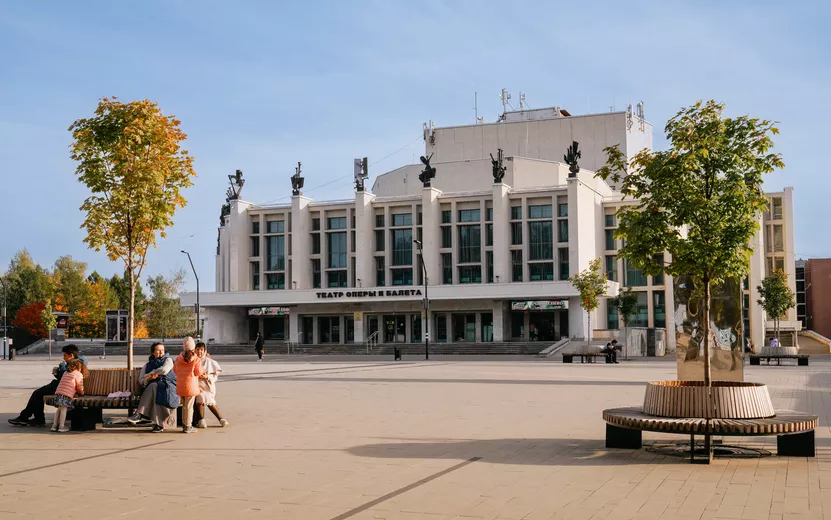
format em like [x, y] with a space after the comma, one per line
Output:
[166, 317]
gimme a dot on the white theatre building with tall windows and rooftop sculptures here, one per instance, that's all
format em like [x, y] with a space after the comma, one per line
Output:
[497, 254]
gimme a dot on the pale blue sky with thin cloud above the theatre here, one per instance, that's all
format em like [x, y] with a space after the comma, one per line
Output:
[259, 86]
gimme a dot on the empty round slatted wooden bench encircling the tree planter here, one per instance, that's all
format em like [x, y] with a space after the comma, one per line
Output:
[794, 430]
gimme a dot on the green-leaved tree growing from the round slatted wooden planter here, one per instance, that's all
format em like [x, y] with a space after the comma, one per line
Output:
[699, 200]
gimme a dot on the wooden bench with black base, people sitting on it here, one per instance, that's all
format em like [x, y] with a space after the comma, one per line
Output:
[98, 385]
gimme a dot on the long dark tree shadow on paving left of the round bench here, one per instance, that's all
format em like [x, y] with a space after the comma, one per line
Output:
[535, 452]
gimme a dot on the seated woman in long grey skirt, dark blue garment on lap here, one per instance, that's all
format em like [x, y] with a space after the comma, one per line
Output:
[158, 399]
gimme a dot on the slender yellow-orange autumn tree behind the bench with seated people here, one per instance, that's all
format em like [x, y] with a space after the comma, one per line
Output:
[130, 157]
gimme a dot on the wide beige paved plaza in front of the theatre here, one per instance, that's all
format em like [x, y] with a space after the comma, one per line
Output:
[368, 438]
